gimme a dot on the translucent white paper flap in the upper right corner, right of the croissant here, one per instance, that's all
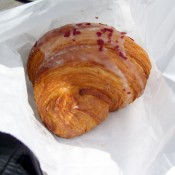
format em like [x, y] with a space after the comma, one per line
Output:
[156, 24]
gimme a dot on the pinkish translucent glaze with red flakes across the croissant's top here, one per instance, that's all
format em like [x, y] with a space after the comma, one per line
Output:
[92, 47]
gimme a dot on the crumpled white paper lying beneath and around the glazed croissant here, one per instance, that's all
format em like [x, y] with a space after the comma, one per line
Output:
[138, 139]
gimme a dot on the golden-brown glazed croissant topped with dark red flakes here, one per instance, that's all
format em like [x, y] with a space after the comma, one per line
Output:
[82, 71]
